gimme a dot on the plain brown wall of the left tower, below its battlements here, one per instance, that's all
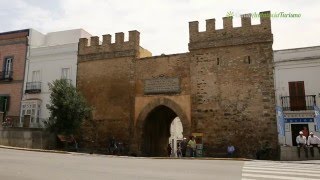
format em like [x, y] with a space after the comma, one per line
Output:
[107, 87]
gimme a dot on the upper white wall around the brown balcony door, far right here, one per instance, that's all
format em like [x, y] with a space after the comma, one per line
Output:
[297, 65]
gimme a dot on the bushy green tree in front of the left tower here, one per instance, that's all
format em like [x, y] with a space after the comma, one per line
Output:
[68, 108]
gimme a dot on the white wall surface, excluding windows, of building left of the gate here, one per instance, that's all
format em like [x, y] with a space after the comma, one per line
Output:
[49, 54]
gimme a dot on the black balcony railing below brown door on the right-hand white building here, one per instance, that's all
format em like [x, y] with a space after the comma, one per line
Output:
[298, 103]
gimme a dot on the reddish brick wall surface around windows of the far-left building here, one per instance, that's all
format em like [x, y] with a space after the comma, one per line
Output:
[13, 45]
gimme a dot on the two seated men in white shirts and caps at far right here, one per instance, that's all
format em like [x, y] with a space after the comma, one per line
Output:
[304, 141]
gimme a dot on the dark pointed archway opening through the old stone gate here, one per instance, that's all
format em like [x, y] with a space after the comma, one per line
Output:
[157, 131]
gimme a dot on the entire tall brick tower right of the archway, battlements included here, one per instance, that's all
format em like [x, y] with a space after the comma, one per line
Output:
[232, 87]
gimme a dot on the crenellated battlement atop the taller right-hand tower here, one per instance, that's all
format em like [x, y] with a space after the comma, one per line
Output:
[229, 35]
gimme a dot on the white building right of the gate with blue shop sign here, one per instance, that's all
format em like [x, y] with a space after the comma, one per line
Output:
[297, 84]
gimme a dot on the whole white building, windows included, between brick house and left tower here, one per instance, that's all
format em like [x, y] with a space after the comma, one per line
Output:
[51, 56]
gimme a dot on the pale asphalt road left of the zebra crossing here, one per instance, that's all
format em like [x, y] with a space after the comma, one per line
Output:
[27, 165]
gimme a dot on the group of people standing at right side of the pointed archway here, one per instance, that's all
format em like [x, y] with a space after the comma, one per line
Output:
[186, 148]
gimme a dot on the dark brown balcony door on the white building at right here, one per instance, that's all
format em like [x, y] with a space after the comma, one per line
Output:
[297, 96]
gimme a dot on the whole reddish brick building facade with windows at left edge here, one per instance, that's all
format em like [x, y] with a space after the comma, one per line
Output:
[13, 53]
